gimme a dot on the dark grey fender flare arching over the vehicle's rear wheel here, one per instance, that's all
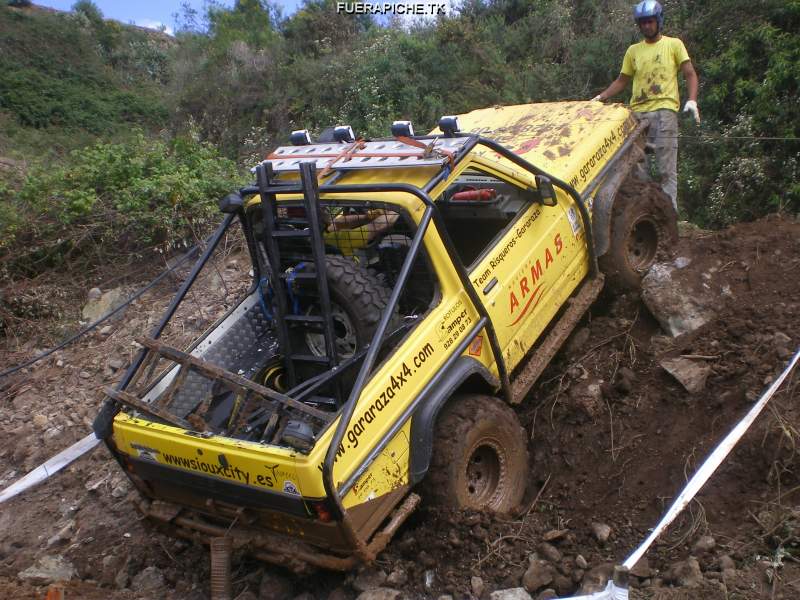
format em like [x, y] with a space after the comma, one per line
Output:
[423, 420]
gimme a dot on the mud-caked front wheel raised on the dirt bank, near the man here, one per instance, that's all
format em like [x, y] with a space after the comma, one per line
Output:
[644, 229]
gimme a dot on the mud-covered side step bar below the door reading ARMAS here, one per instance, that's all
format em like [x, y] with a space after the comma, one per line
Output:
[542, 354]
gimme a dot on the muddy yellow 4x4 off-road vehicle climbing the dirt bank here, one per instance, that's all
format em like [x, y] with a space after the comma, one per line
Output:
[406, 293]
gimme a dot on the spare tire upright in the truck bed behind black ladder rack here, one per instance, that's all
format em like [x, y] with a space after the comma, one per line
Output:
[358, 300]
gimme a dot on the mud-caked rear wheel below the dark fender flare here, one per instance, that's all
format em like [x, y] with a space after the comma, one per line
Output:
[480, 456]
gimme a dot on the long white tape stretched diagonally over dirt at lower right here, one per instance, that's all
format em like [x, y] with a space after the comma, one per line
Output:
[710, 465]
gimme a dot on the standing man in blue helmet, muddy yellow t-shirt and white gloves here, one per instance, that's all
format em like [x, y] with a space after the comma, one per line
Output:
[653, 64]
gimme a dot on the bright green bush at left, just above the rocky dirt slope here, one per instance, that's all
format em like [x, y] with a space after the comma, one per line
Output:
[111, 199]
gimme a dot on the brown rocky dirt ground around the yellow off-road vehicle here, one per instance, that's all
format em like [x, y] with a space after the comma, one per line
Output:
[613, 438]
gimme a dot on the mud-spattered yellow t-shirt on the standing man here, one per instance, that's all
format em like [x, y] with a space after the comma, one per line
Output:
[654, 69]
